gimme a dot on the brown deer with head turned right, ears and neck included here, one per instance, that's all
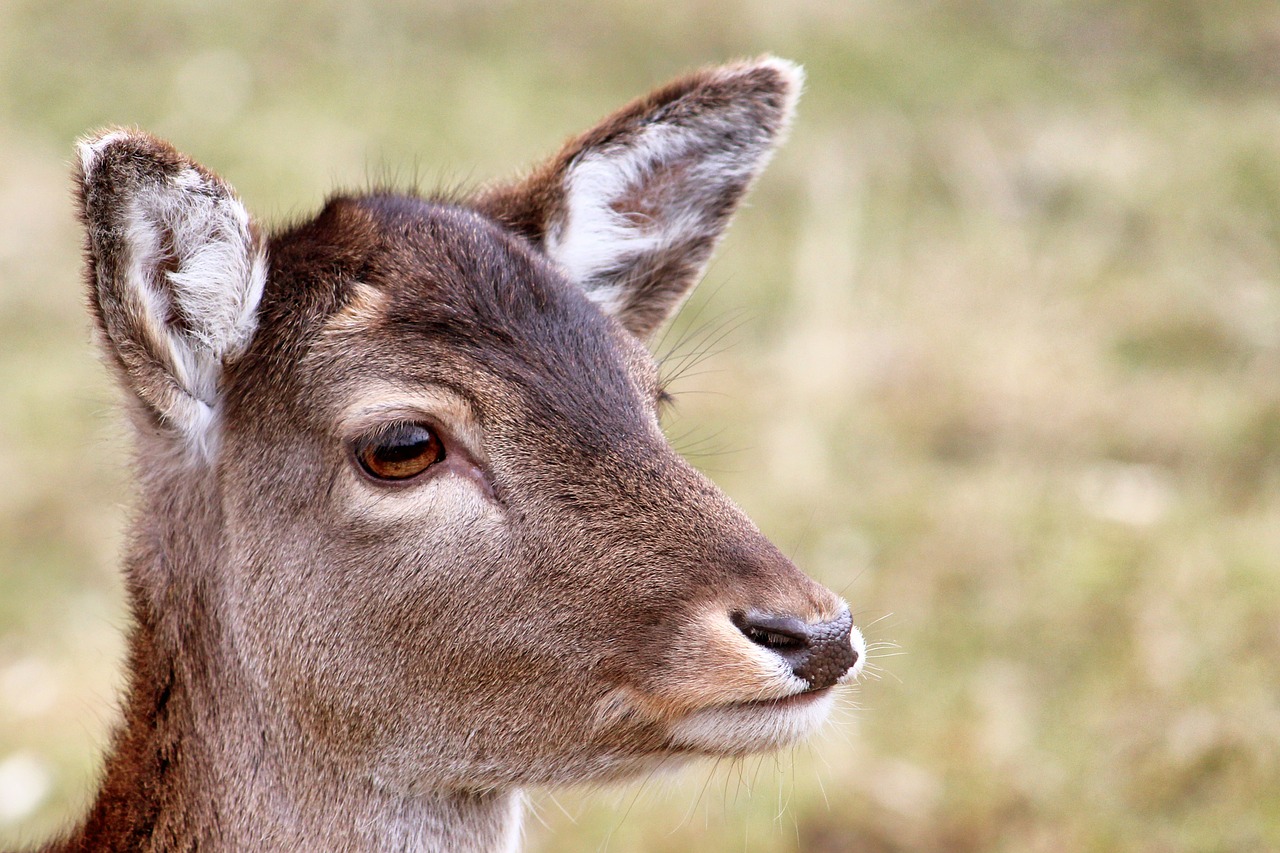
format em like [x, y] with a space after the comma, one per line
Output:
[409, 539]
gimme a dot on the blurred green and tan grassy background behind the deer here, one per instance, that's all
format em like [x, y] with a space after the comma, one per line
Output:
[1002, 364]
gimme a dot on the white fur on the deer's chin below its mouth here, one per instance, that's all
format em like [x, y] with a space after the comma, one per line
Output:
[739, 729]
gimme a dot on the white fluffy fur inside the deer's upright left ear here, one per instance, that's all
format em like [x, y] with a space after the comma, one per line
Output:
[221, 270]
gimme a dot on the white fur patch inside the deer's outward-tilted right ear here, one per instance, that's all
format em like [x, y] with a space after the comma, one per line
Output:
[596, 239]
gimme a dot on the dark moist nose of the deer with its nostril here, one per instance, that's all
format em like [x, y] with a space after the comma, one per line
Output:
[820, 654]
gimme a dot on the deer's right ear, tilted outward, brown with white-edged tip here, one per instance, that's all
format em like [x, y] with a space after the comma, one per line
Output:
[633, 209]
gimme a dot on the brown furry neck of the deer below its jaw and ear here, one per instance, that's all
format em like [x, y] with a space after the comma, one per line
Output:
[200, 761]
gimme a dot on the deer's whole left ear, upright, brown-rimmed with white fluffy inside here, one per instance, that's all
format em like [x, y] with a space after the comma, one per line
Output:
[176, 272]
